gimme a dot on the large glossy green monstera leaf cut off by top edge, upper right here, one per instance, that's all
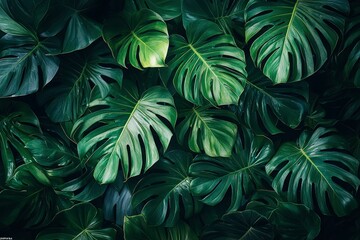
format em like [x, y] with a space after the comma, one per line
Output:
[291, 40]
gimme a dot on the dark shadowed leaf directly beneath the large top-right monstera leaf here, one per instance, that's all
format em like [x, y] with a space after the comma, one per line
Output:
[264, 107]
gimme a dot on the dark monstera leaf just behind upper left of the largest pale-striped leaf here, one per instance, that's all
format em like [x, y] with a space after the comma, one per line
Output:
[67, 97]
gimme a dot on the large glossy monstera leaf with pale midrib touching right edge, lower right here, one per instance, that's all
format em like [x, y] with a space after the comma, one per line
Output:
[316, 171]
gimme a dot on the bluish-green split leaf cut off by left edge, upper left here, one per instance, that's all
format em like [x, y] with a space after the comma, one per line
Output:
[26, 65]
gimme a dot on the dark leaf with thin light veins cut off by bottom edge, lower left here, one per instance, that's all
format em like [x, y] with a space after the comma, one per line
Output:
[82, 221]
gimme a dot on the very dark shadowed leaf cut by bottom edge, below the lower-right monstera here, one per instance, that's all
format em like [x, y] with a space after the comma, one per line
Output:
[290, 220]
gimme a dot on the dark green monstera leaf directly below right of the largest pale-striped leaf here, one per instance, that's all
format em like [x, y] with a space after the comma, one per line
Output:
[166, 190]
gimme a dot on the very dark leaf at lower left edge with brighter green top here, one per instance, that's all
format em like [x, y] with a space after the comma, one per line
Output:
[31, 200]
